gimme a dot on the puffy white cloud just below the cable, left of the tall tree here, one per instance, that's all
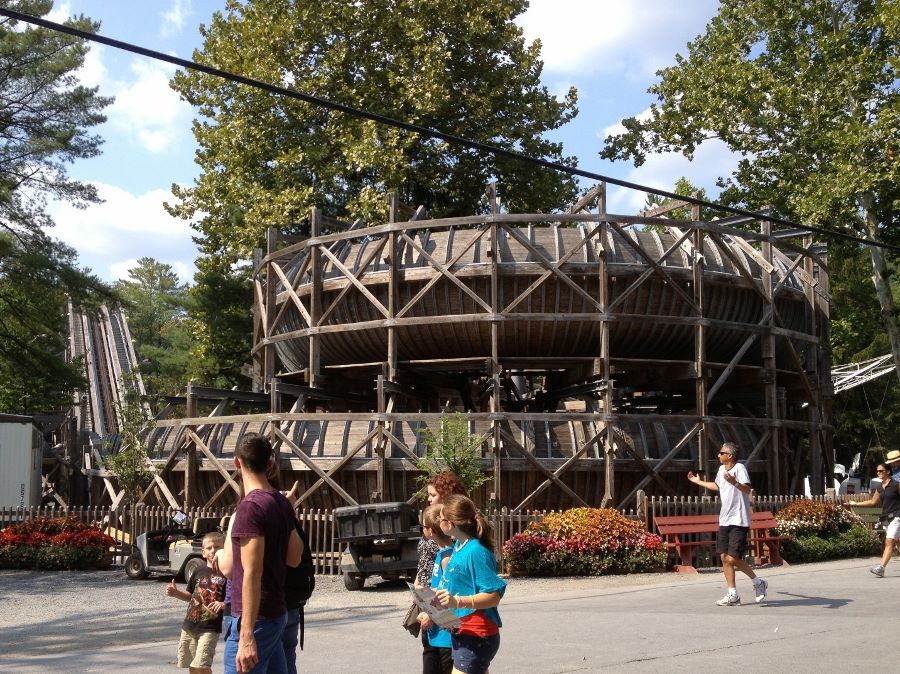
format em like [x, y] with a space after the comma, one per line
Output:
[148, 108]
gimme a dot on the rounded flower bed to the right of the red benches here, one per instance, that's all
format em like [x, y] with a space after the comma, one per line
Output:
[823, 531]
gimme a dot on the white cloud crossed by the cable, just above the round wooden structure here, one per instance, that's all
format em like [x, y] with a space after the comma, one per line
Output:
[661, 171]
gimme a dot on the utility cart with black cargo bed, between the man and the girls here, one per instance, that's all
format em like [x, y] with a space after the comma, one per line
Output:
[382, 540]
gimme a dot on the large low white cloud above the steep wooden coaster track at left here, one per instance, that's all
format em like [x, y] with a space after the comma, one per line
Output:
[111, 236]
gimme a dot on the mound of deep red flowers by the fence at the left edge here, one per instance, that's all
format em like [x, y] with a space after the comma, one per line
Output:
[54, 543]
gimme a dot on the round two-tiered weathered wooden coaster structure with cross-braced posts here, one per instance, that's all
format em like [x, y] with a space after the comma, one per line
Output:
[599, 354]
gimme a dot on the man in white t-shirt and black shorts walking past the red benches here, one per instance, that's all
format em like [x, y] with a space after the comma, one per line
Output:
[733, 484]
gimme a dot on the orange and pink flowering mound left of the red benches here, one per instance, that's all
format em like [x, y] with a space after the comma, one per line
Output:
[584, 542]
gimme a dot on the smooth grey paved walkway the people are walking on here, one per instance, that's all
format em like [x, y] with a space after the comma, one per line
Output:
[818, 617]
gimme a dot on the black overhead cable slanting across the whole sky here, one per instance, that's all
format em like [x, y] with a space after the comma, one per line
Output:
[424, 130]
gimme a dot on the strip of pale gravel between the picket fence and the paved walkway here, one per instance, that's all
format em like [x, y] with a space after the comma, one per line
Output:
[52, 612]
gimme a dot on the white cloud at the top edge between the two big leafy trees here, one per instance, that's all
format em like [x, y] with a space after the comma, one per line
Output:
[633, 38]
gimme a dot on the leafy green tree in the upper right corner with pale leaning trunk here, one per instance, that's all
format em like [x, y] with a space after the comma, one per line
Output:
[806, 92]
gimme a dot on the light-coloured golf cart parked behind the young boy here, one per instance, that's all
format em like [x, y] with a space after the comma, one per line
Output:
[175, 550]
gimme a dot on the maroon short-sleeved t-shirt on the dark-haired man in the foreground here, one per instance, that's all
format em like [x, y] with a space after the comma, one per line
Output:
[266, 513]
